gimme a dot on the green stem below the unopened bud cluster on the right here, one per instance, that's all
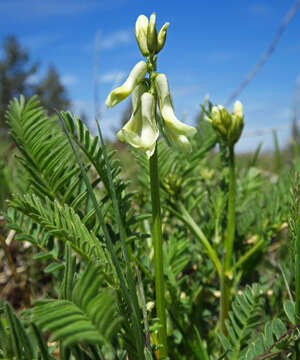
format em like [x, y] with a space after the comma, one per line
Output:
[227, 274]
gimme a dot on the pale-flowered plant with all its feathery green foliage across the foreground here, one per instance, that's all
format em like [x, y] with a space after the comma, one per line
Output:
[180, 268]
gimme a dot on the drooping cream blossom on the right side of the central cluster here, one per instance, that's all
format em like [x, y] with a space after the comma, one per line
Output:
[176, 130]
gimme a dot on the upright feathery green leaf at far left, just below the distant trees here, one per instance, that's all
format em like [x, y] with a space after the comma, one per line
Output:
[45, 150]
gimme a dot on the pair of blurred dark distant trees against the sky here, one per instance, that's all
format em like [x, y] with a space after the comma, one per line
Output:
[15, 72]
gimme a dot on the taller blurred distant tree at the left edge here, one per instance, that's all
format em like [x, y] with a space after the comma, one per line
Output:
[15, 70]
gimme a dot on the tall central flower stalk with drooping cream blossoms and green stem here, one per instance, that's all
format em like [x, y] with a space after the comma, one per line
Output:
[141, 132]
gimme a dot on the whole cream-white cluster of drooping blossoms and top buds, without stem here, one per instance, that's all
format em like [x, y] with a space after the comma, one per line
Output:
[141, 131]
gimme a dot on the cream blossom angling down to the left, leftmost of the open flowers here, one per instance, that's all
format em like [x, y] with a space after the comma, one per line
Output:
[136, 75]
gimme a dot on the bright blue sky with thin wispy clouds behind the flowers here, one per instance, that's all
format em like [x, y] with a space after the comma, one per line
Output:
[211, 46]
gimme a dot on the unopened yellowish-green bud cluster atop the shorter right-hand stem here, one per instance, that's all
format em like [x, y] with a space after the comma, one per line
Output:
[228, 125]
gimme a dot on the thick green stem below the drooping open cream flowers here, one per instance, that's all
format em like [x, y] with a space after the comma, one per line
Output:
[158, 254]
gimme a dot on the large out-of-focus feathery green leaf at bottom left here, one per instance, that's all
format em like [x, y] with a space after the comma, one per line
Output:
[89, 317]
